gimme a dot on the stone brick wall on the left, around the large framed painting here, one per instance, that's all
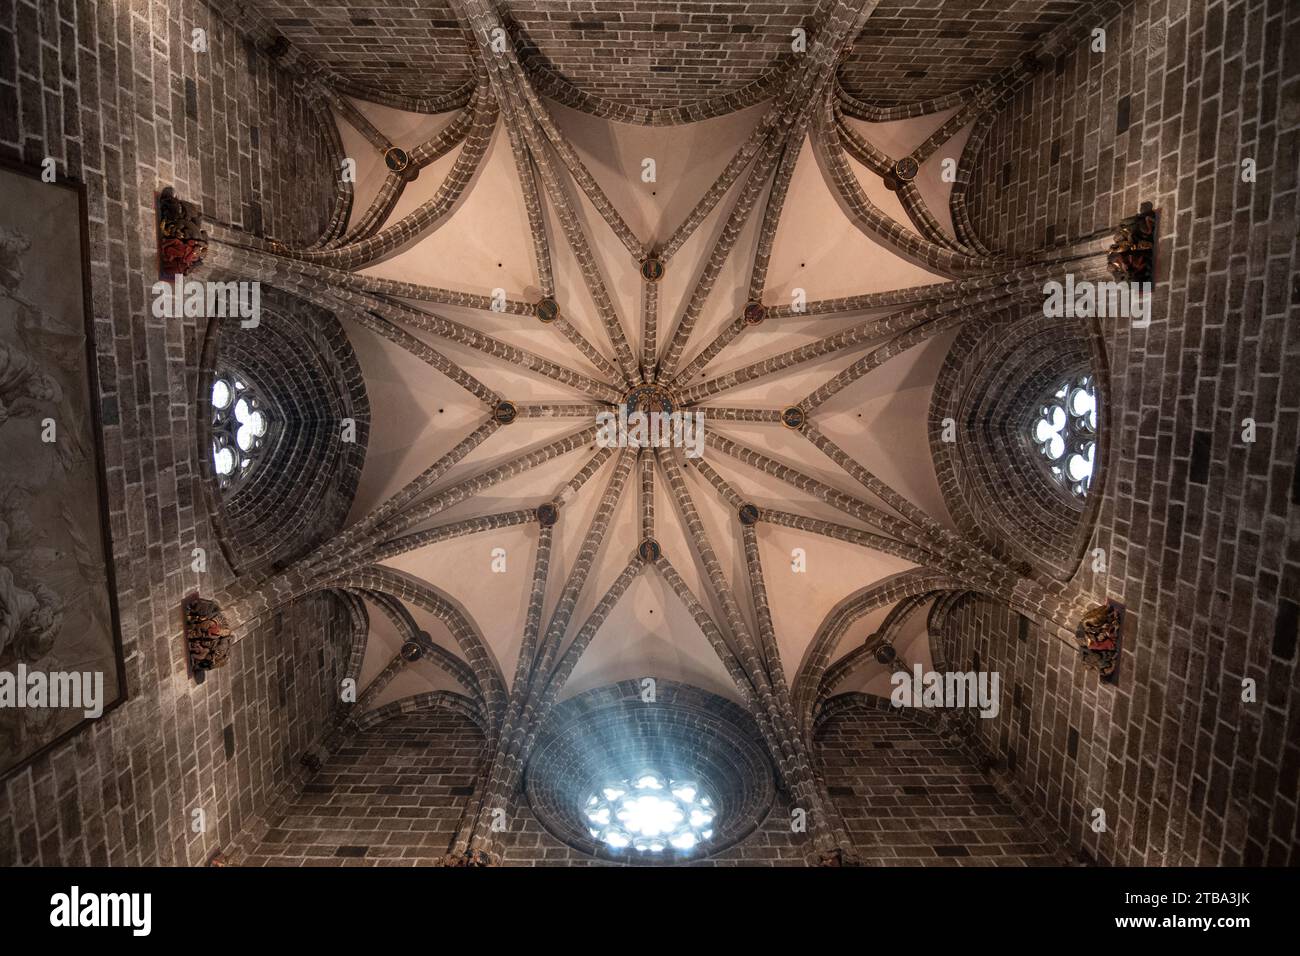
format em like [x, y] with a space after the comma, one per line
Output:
[116, 94]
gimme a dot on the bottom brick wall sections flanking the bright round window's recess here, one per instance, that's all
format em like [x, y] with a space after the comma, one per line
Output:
[396, 794]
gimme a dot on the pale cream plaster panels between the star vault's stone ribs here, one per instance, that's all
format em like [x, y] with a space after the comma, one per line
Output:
[486, 244]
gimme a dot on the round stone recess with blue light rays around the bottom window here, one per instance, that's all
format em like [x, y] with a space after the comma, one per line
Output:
[649, 772]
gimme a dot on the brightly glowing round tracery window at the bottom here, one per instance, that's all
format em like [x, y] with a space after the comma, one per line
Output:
[651, 815]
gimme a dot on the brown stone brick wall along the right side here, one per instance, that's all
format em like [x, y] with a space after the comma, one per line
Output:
[1199, 529]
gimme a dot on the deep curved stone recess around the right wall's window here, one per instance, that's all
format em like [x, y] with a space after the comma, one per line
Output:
[986, 399]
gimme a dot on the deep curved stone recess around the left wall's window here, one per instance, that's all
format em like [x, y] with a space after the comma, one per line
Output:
[301, 364]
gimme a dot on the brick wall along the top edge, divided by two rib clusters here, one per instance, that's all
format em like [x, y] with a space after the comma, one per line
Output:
[642, 60]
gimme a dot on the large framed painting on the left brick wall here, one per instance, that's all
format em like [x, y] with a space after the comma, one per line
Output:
[60, 639]
